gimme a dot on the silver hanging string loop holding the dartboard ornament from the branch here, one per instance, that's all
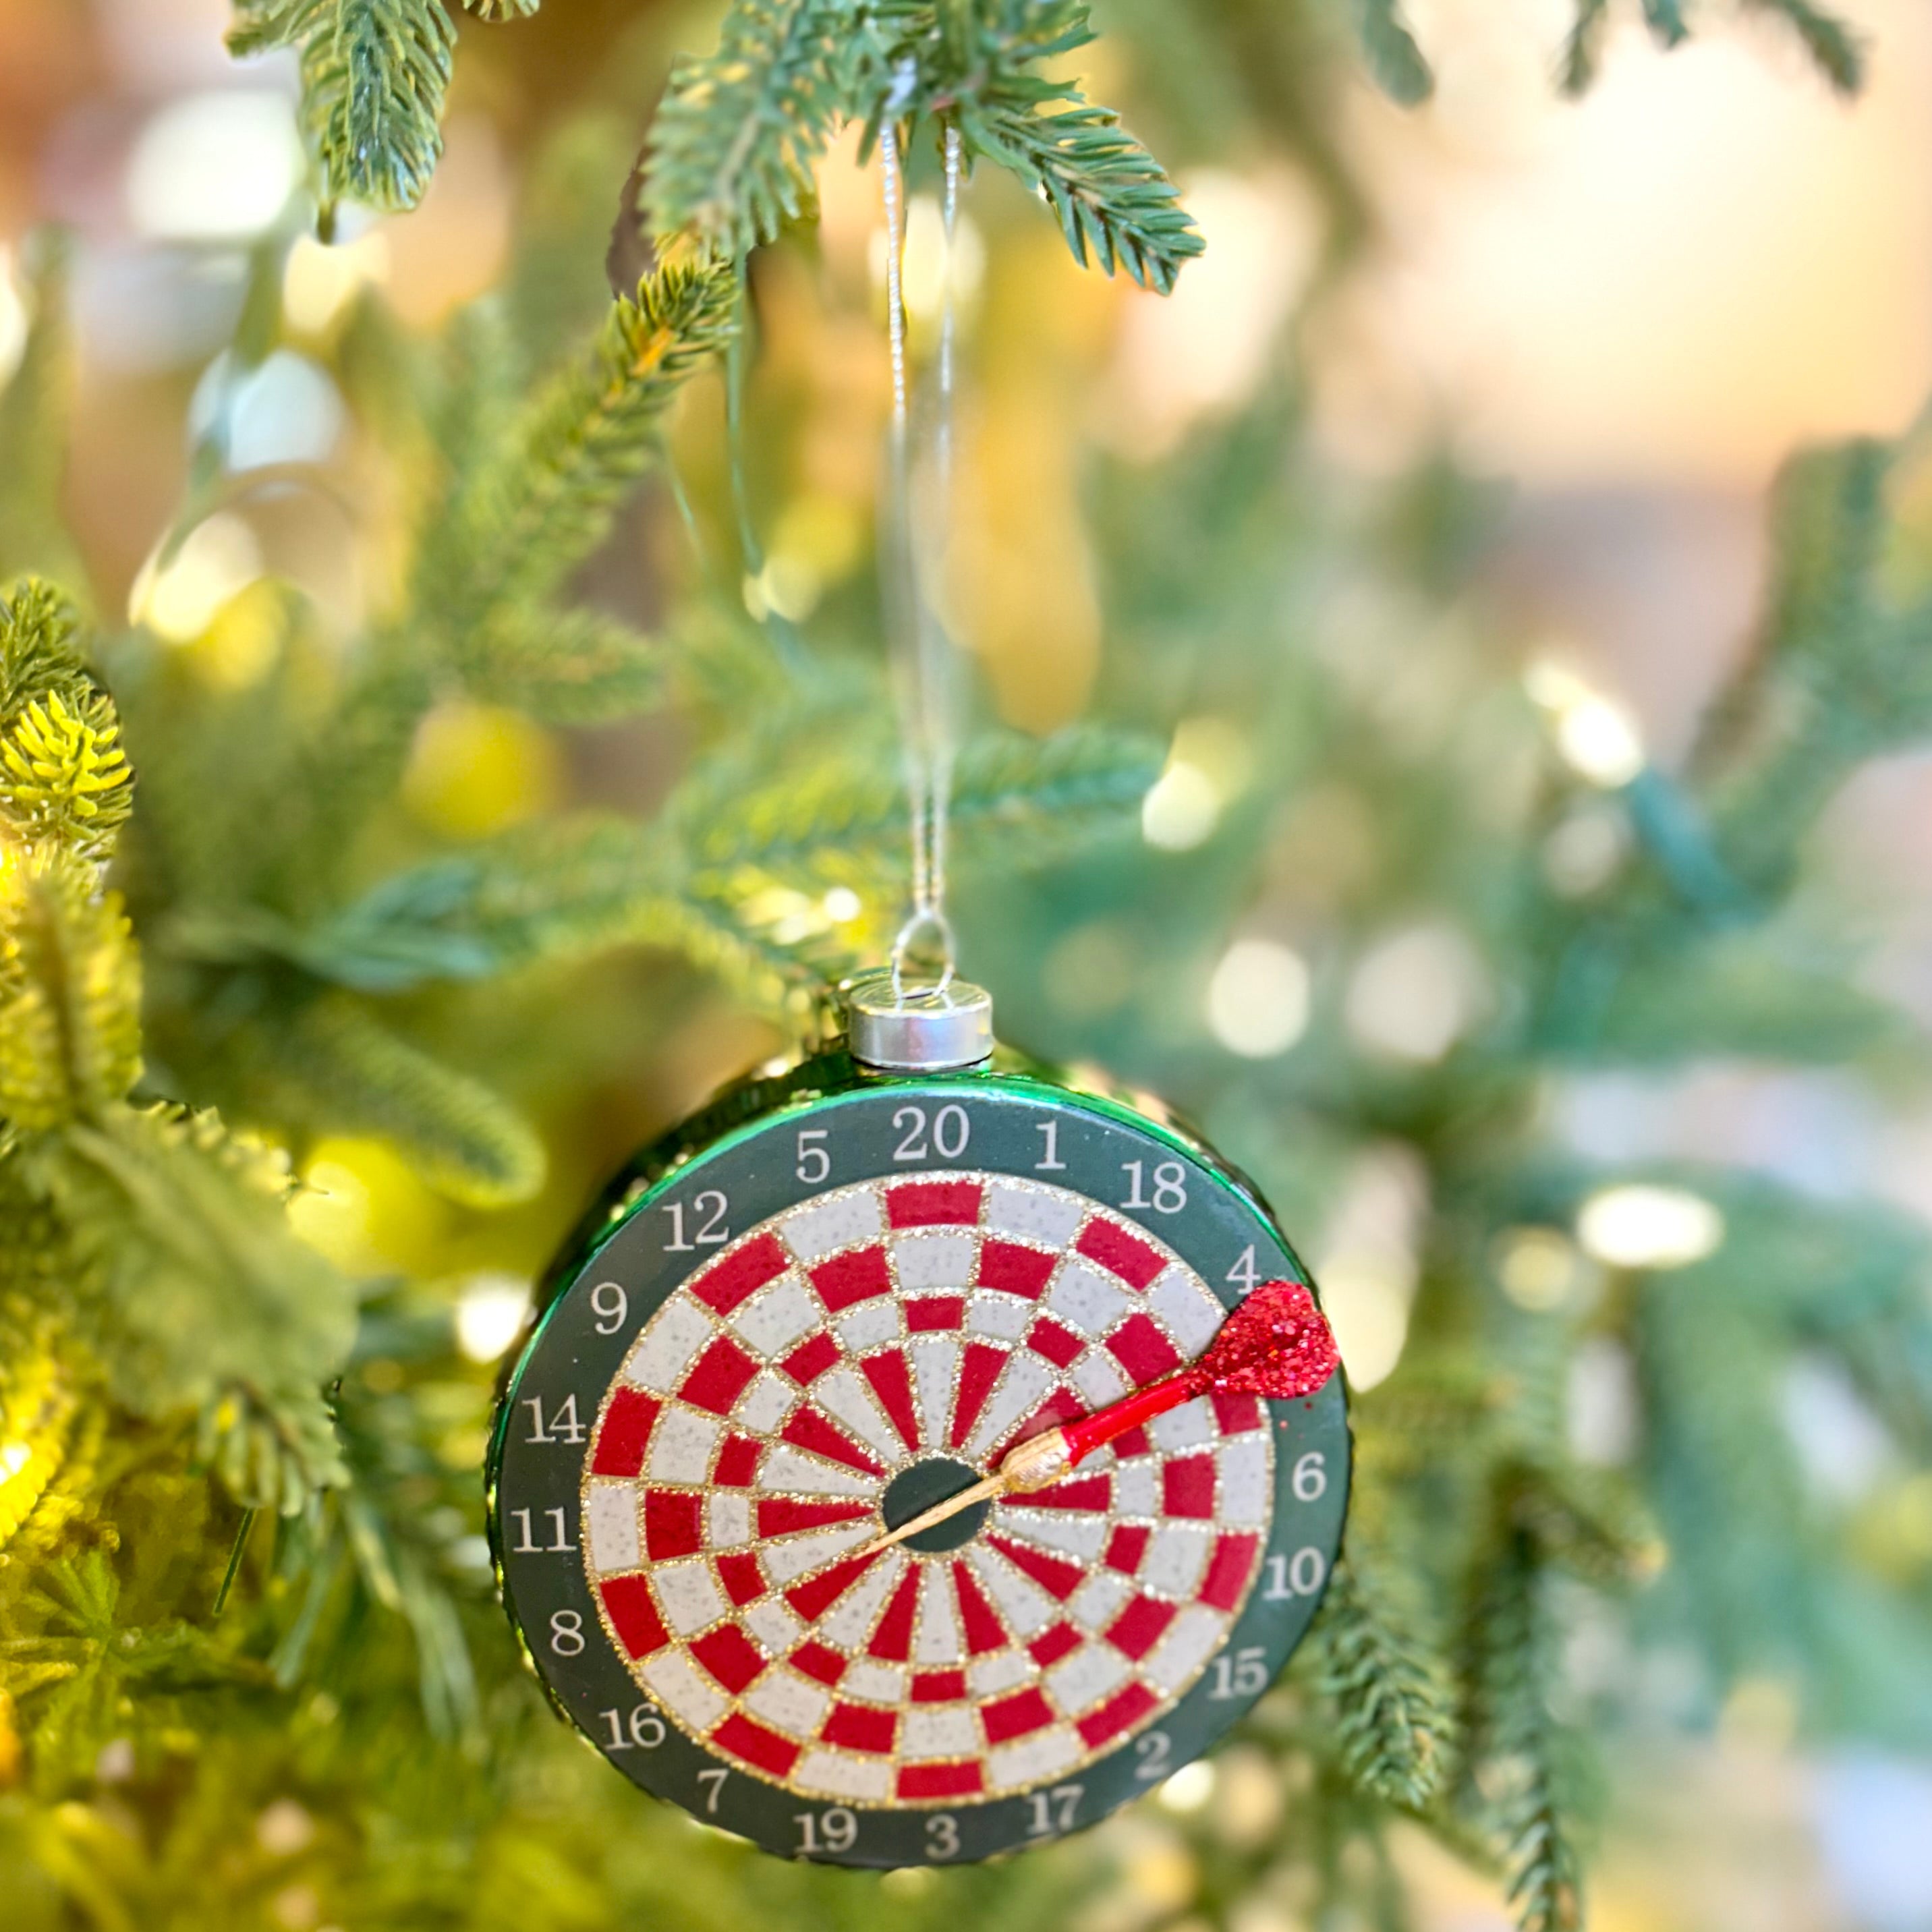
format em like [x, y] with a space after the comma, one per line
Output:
[915, 523]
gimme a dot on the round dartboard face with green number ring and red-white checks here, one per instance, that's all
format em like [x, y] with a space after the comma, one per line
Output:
[834, 1319]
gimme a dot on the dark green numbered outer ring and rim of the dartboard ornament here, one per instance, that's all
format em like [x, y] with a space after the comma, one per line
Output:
[739, 1141]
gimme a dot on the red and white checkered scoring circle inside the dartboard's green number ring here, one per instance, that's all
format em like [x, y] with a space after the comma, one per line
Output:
[745, 1450]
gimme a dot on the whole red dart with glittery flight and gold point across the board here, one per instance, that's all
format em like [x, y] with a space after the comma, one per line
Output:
[1276, 1344]
